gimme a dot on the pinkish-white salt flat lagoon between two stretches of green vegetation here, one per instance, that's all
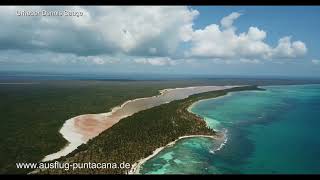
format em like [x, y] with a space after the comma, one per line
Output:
[78, 130]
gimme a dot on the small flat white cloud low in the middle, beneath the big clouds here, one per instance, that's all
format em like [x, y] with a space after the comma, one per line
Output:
[156, 61]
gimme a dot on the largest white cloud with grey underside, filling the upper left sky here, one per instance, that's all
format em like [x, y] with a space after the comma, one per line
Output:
[102, 30]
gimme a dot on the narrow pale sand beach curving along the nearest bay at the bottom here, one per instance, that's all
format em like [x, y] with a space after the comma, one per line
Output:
[135, 169]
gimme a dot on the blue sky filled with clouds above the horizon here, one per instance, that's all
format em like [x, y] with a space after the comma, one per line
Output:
[199, 40]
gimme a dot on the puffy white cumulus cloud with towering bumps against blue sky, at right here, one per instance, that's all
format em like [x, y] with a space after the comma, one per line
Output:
[215, 41]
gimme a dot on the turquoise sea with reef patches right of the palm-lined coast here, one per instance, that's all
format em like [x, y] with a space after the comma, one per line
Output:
[268, 132]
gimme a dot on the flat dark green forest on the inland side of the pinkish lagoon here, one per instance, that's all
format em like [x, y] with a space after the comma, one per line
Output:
[32, 114]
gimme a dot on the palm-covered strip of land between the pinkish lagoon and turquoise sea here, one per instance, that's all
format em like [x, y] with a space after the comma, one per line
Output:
[137, 136]
